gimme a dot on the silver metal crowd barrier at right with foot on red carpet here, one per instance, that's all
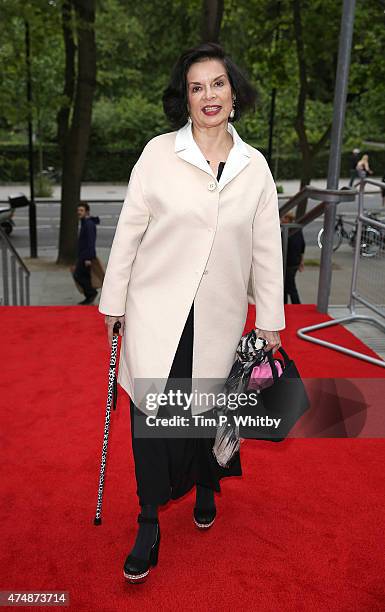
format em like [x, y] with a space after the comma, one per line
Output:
[368, 278]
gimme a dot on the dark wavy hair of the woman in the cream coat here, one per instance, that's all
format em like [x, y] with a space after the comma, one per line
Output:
[175, 95]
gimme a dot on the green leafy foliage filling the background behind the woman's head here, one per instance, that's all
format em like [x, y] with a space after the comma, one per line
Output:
[138, 43]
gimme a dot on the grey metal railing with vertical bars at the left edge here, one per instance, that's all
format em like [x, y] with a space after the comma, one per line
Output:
[15, 274]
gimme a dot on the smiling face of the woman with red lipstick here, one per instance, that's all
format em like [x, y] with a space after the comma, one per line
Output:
[209, 94]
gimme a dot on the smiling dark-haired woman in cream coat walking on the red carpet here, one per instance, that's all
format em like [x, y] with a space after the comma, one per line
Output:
[200, 216]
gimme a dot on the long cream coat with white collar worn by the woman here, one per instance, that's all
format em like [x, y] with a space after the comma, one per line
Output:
[182, 236]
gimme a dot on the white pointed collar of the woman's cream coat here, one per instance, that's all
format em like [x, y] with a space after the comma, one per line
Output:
[187, 149]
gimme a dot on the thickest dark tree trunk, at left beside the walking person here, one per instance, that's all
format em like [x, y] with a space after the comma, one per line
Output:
[75, 141]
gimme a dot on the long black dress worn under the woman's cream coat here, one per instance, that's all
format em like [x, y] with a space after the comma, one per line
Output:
[167, 468]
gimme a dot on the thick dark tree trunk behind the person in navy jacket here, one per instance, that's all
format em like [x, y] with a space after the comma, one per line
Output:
[74, 118]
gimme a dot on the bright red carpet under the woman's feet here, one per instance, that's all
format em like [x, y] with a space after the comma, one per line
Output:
[303, 529]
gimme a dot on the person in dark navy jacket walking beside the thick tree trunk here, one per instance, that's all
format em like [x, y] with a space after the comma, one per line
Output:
[86, 252]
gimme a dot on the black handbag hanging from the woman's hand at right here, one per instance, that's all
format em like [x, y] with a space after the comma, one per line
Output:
[286, 400]
